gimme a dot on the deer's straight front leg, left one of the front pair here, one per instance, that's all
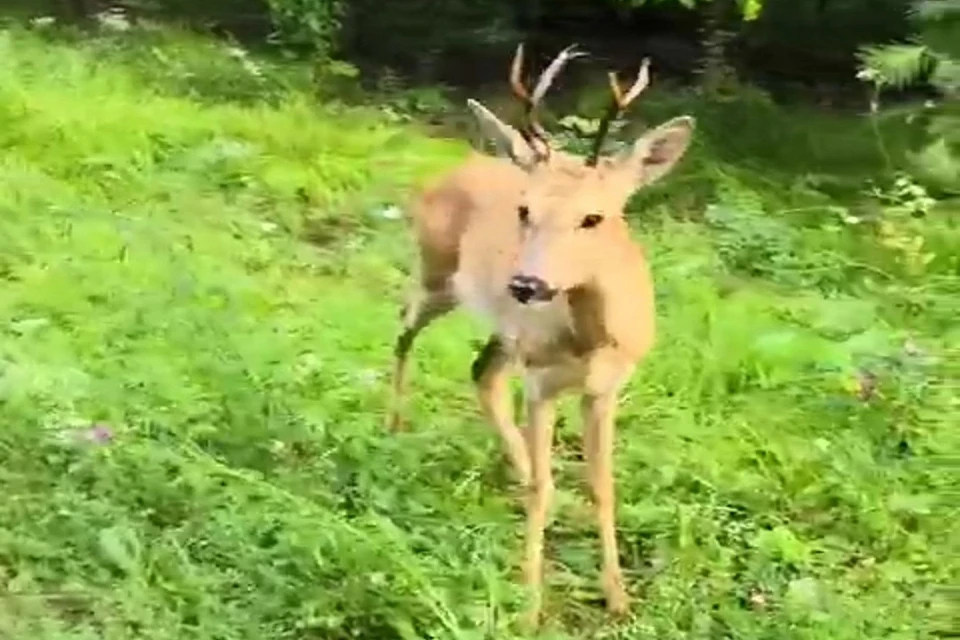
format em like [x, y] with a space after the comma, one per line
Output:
[541, 412]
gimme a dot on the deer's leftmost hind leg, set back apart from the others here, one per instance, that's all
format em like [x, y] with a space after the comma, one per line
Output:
[424, 307]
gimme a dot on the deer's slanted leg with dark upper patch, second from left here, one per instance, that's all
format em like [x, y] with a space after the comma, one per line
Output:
[491, 374]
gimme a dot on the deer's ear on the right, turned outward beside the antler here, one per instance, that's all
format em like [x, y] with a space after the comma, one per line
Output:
[656, 152]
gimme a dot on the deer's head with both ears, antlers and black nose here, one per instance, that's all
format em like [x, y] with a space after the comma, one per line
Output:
[570, 212]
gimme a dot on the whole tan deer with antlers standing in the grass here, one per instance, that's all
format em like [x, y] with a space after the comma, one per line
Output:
[533, 239]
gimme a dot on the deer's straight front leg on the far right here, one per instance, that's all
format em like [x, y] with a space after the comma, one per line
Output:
[598, 421]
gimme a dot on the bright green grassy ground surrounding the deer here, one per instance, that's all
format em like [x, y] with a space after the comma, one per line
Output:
[155, 278]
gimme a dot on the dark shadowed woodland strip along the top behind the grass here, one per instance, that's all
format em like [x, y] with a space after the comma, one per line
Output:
[801, 39]
